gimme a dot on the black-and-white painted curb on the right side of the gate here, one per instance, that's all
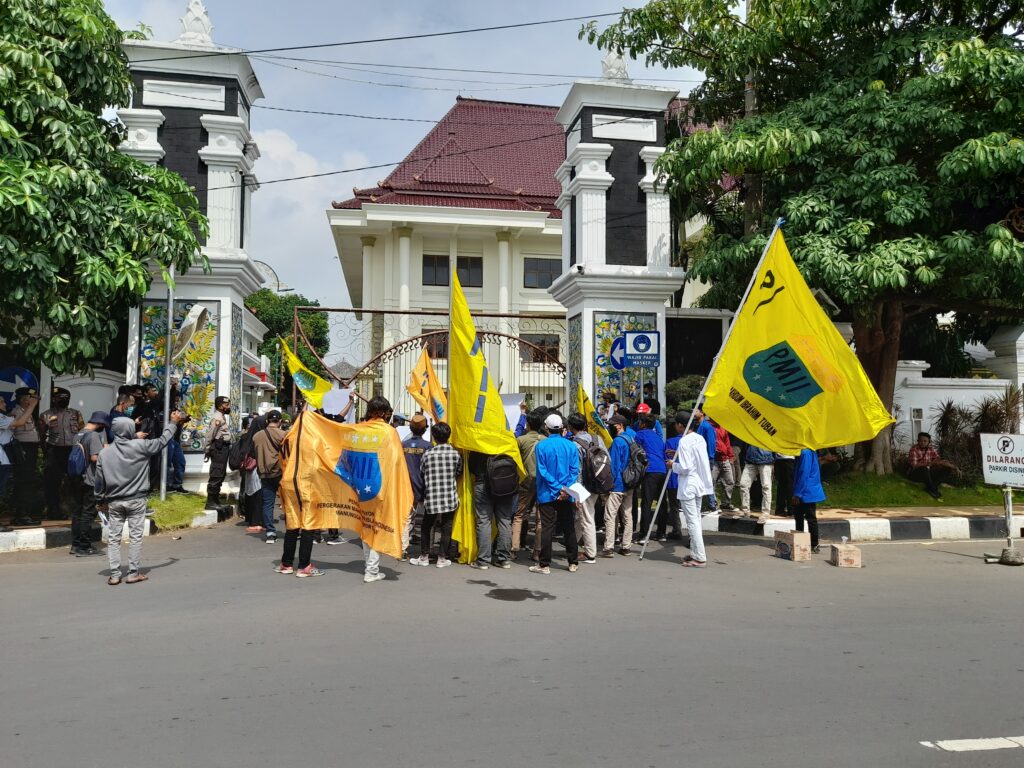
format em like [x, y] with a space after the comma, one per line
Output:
[877, 529]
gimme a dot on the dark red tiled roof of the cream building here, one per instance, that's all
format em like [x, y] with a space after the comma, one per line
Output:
[494, 155]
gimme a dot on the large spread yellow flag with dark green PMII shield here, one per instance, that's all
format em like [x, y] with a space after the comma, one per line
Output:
[787, 380]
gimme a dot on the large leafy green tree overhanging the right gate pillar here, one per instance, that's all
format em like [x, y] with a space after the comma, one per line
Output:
[889, 137]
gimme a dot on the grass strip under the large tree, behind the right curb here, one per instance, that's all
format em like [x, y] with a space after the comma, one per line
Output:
[857, 491]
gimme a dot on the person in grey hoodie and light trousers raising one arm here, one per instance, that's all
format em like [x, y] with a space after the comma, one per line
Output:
[122, 482]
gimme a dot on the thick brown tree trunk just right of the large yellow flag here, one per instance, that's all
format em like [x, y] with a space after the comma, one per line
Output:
[877, 335]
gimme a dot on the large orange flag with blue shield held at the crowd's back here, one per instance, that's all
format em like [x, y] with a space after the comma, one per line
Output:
[351, 477]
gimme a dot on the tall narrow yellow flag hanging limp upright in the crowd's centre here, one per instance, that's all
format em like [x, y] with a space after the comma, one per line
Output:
[476, 412]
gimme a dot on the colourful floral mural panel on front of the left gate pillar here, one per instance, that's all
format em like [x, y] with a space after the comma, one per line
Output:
[197, 367]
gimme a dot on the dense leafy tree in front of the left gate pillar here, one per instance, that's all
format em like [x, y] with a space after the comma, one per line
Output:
[82, 226]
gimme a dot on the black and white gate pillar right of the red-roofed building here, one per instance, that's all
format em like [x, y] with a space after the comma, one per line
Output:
[617, 240]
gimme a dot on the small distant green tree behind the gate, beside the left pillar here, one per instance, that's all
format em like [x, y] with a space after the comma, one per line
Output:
[278, 314]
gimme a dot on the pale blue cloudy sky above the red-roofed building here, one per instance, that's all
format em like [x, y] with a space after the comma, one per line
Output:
[290, 230]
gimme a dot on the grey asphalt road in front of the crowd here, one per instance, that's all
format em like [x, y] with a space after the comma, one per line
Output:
[218, 661]
